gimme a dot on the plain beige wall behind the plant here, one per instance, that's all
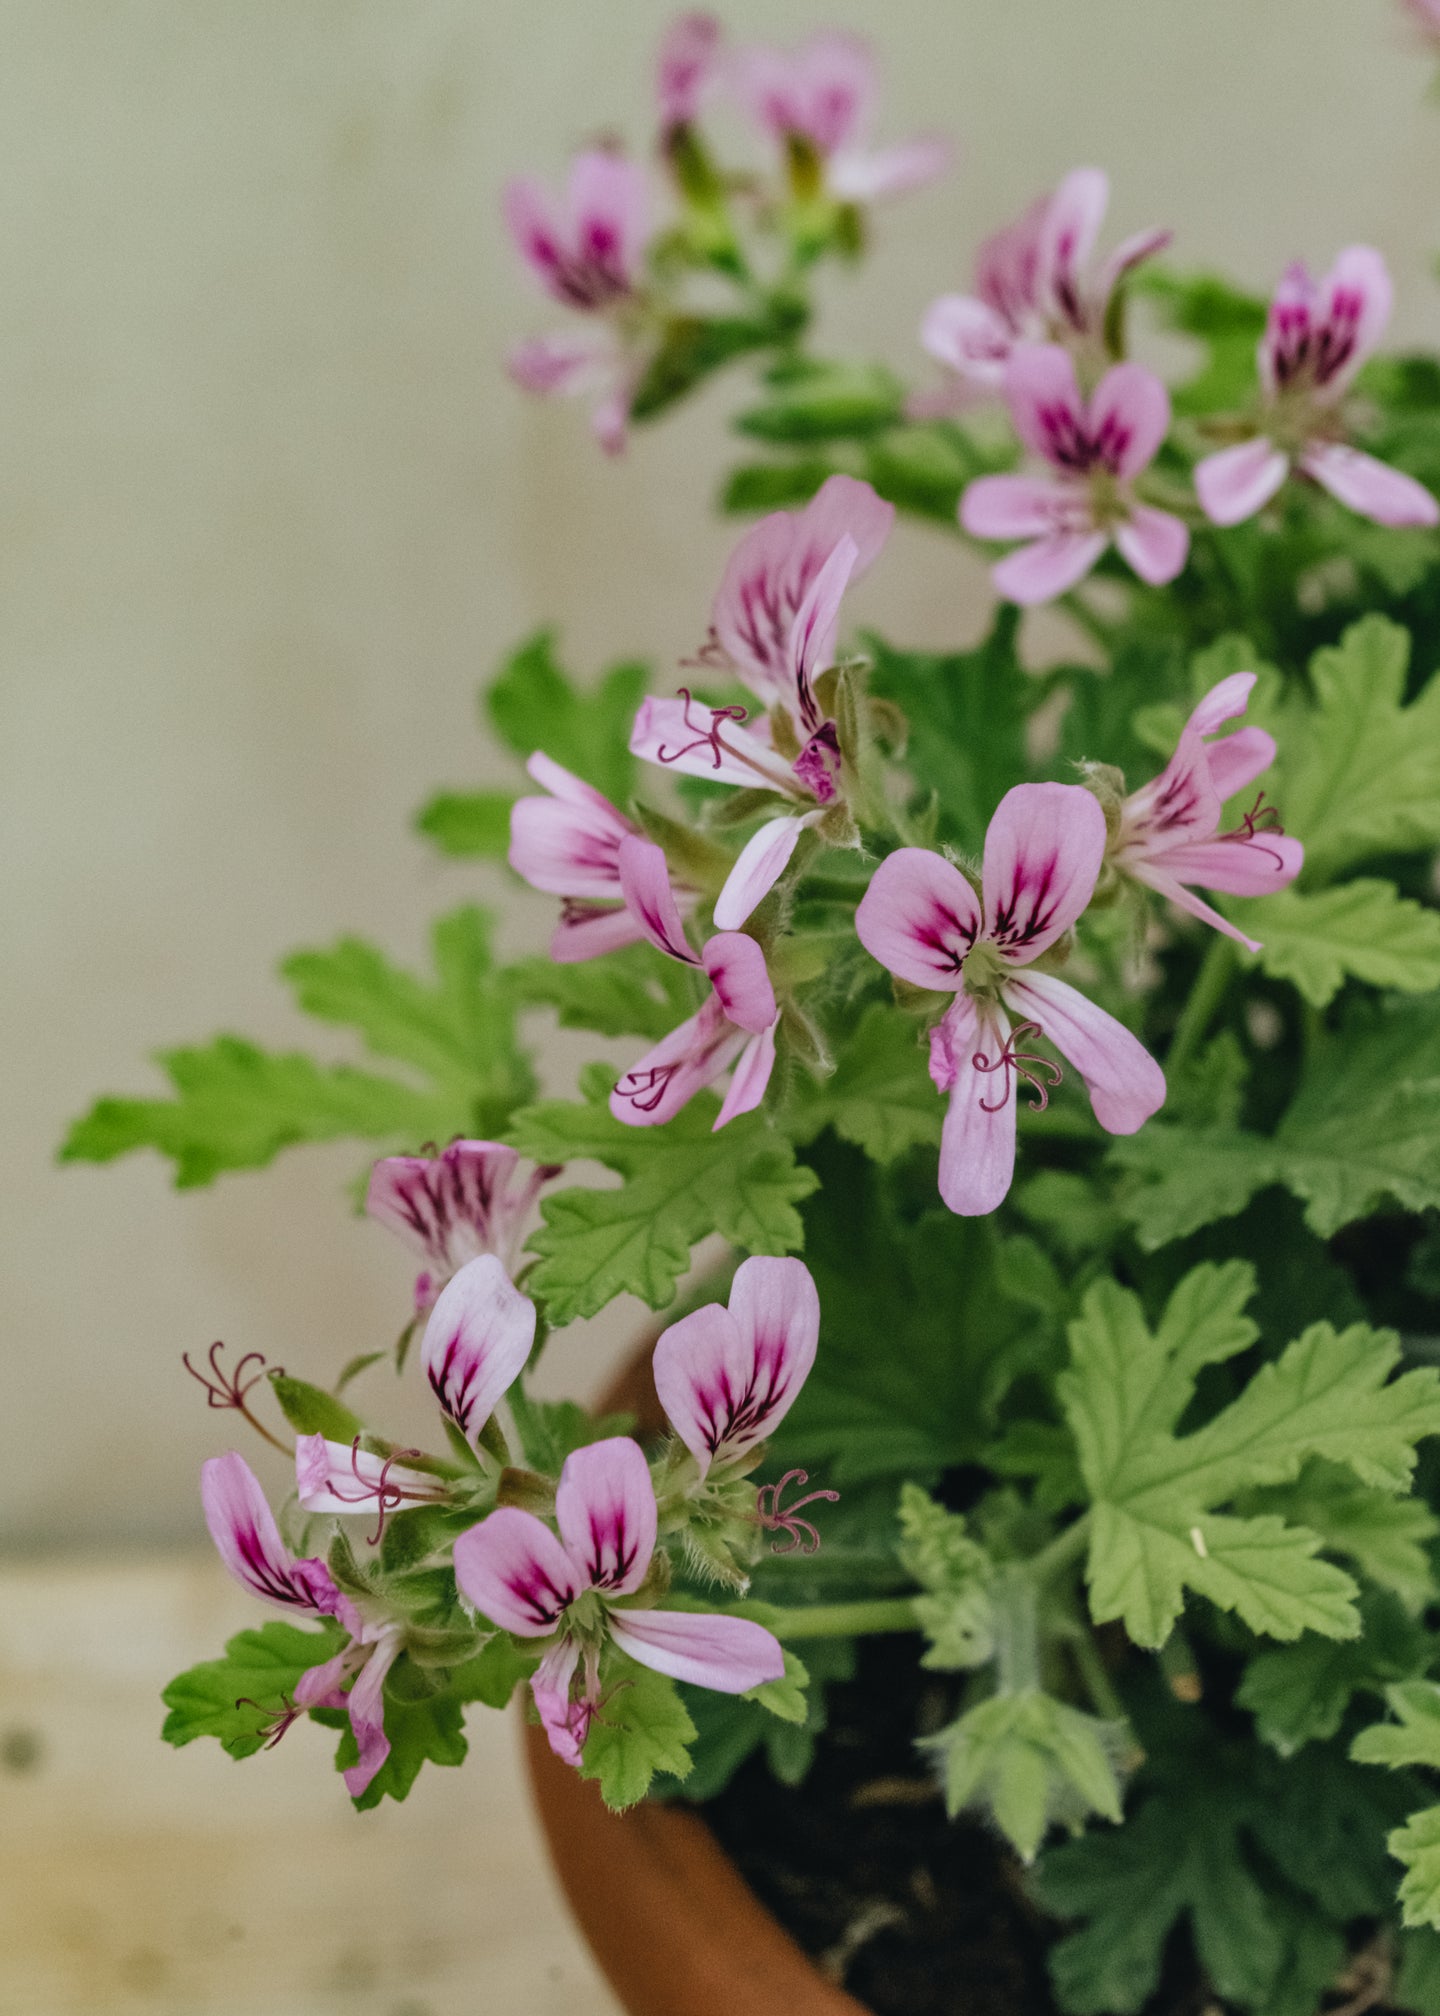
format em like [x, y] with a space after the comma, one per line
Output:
[269, 511]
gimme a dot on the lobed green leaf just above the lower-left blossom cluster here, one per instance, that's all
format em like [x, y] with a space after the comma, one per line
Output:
[683, 1182]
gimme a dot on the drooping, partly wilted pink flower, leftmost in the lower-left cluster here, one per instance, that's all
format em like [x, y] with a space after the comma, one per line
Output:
[249, 1543]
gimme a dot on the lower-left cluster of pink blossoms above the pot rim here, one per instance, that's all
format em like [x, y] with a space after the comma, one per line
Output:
[590, 1578]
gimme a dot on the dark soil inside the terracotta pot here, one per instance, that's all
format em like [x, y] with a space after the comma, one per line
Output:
[911, 1912]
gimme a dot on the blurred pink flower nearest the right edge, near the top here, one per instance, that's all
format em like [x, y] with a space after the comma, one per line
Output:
[1316, 342]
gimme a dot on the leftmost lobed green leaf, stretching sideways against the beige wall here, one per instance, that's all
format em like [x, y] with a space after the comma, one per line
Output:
[237, 1108]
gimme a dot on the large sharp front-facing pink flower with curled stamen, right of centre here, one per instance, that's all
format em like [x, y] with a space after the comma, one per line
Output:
[925, 922]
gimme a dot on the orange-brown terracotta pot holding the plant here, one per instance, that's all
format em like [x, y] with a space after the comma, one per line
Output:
[671, 1920]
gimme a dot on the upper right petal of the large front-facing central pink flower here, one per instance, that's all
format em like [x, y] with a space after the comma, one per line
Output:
[1042, 858]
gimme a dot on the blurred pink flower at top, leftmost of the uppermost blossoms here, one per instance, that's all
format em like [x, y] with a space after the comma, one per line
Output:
[588, 253]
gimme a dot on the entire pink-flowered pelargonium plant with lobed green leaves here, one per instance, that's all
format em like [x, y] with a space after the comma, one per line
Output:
[1054, 1047]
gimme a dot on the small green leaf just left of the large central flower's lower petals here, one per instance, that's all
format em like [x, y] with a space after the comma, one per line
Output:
[880, 1094]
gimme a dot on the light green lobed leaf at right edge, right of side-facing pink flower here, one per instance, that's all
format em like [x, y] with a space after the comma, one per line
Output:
[1360, 771]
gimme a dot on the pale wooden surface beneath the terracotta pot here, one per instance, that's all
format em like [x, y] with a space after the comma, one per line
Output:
[146, 1880]
